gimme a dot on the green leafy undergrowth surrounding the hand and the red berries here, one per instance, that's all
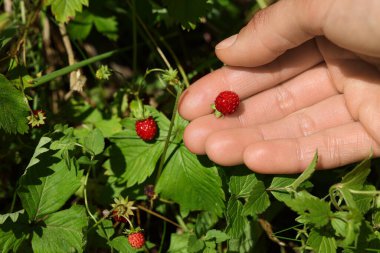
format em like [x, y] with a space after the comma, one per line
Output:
[64, 177]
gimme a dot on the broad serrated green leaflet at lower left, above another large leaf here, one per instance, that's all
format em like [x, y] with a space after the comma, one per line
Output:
[47, 185]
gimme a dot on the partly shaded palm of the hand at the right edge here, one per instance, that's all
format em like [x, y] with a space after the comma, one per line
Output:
[360, 82]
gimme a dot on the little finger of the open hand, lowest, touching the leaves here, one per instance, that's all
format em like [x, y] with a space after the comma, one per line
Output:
[336, 147]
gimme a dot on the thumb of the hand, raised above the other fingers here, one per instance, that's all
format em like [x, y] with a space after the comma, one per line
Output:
[289, 23]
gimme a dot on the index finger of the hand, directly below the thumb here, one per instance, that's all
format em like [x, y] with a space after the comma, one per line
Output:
[196, 100]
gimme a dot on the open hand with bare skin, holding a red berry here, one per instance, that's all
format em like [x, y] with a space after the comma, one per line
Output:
[308, 75]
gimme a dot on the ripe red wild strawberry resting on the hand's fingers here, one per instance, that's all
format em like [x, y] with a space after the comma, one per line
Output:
[226, 103]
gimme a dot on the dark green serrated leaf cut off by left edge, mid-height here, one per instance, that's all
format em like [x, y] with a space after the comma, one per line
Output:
[13, 108]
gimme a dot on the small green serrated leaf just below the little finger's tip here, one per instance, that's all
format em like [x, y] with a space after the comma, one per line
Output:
[242, 186]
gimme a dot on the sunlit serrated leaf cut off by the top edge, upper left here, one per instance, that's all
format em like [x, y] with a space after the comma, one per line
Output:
[64, 9]
